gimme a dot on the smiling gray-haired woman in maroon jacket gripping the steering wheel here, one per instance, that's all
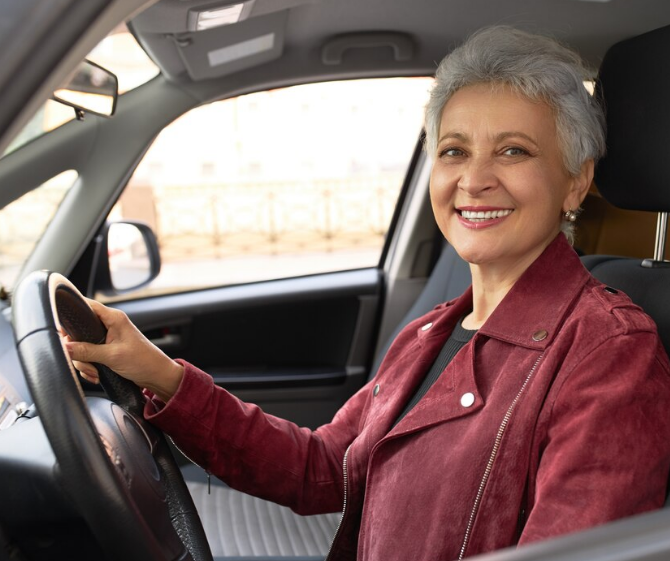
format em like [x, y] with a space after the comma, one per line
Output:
[509, 389]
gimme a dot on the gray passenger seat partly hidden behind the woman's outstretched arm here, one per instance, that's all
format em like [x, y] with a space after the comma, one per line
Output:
[242, 527]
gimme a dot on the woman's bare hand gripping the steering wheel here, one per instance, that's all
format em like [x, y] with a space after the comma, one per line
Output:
[128, 353]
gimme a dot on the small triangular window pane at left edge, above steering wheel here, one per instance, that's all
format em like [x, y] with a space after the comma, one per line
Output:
[23, 222]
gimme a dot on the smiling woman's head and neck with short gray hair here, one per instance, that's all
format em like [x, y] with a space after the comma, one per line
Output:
[519, 139]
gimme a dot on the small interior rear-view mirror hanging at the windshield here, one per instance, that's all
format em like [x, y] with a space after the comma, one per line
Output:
[92, 89]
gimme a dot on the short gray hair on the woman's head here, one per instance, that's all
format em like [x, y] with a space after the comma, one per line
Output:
[535, 66]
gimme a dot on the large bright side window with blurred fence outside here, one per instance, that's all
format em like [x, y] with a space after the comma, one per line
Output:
[280, 183]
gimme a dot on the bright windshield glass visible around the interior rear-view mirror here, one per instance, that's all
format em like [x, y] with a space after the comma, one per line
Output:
[120, 53]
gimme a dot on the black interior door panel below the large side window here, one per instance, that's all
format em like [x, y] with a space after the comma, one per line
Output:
[298, 348]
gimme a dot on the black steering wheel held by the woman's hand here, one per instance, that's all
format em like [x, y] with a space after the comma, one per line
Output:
[116, 468]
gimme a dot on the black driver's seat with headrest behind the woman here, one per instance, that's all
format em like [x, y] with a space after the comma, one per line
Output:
[635, 174]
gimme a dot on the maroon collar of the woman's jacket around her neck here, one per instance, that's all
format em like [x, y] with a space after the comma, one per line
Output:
[533, 310]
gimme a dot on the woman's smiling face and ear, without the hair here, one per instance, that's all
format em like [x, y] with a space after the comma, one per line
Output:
[498, 185]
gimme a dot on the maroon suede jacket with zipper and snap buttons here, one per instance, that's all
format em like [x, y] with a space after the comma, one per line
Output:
[554, 418]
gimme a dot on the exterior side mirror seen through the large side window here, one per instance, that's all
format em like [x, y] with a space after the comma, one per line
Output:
[129, 258]
